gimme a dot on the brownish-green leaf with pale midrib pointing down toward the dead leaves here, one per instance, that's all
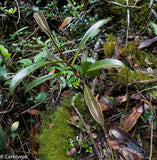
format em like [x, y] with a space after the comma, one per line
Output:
[93, 105]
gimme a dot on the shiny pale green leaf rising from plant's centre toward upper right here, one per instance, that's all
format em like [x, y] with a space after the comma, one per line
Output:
[92, 32]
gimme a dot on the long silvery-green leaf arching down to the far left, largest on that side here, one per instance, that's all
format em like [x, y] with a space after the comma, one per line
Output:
[25, 72]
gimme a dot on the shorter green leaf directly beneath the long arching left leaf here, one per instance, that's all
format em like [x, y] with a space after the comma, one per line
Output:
[38, 81]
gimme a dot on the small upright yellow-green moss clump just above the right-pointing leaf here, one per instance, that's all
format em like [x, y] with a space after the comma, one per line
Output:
[109, 46]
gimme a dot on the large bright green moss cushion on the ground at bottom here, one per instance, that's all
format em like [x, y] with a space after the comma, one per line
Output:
[54, 142]
